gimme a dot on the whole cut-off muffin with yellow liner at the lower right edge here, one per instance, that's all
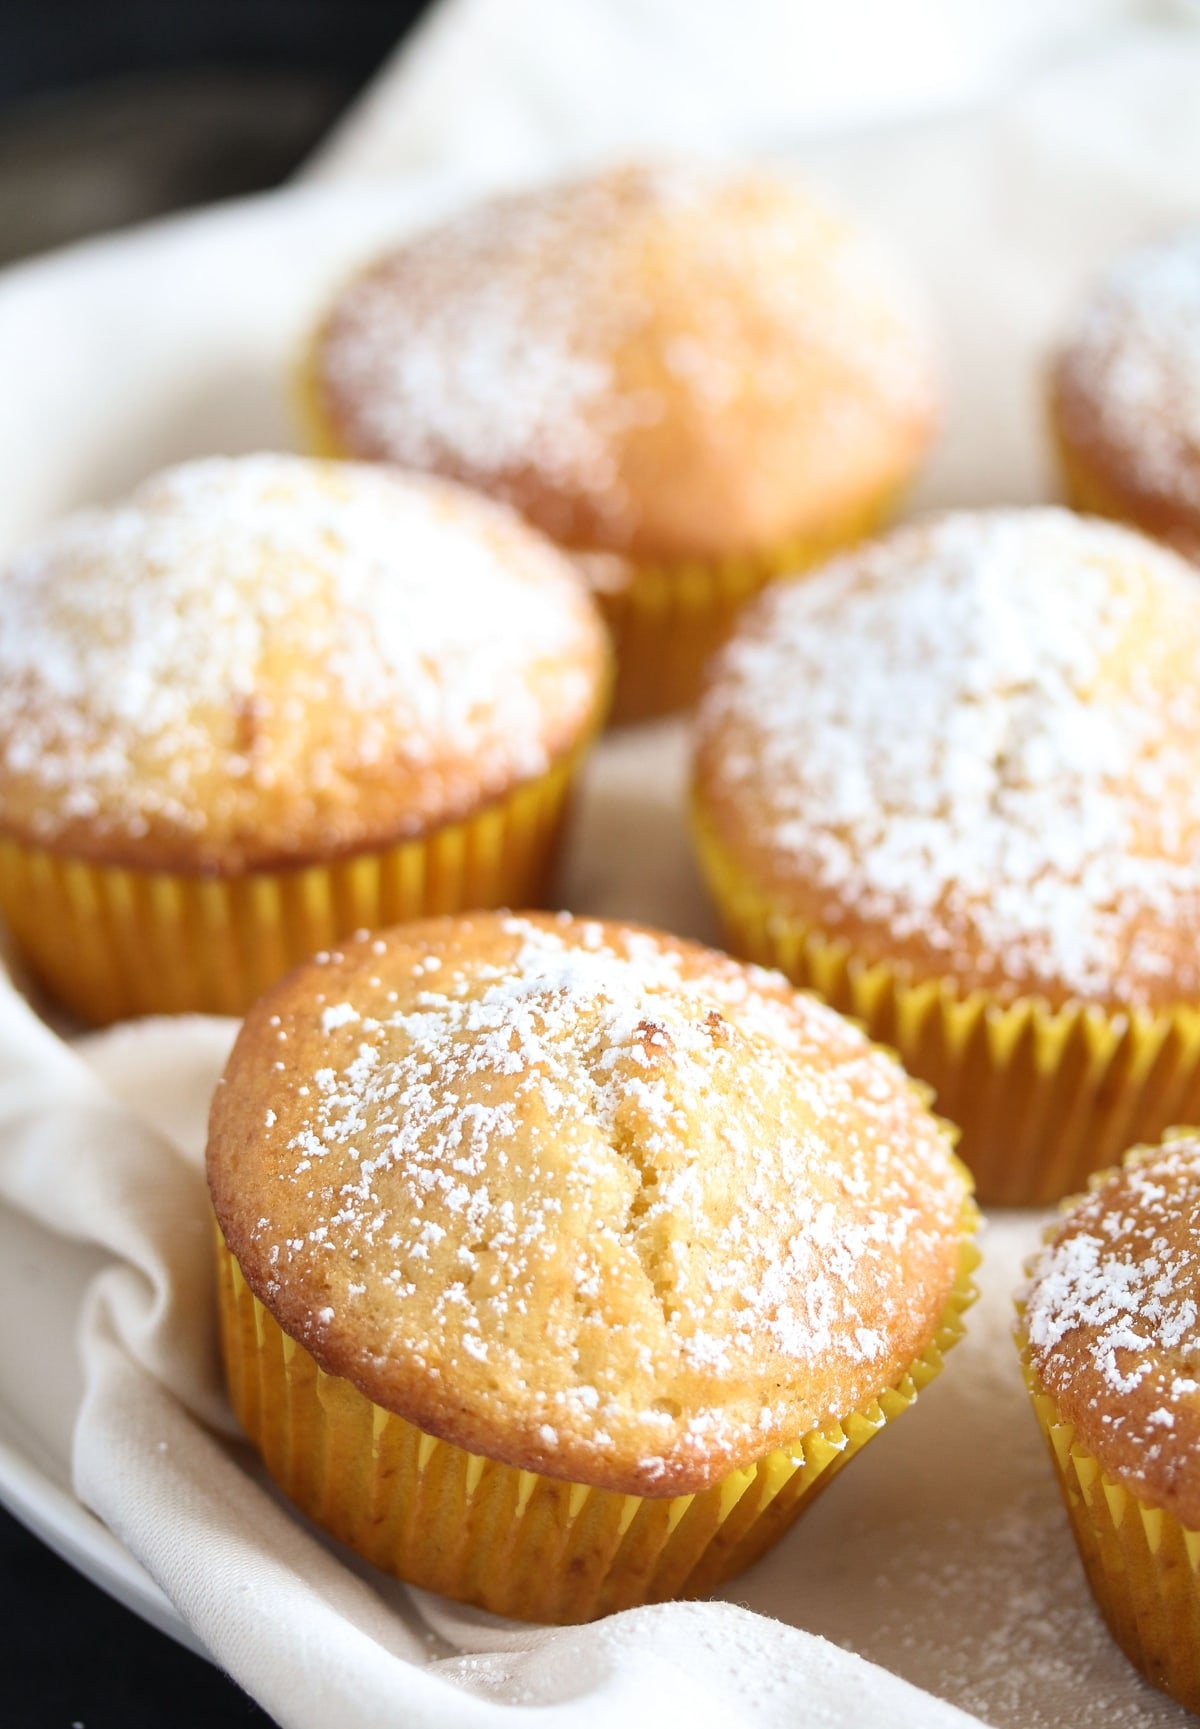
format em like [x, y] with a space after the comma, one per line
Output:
[1111, 1343]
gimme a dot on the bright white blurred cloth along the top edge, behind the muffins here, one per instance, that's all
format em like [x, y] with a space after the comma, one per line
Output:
[528, 86]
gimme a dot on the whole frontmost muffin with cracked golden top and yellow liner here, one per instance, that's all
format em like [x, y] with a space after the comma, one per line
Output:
[561, 1263]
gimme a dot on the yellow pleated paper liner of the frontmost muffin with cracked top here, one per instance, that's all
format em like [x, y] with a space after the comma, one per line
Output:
[514, 1541]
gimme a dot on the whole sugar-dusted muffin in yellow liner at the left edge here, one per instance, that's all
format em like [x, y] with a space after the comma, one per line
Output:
[267, 703]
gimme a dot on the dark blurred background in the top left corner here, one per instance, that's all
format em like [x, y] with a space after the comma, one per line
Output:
[120, 110]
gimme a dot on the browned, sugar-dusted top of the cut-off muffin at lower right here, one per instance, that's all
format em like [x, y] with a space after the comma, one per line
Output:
[1113, 1329]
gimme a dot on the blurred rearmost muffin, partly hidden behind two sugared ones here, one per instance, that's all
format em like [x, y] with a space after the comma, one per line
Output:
[691, 380]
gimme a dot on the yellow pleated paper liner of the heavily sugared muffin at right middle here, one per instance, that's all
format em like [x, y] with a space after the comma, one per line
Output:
[1042, 1095]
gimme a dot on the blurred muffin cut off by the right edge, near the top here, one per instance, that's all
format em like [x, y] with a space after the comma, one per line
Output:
[1125, 393]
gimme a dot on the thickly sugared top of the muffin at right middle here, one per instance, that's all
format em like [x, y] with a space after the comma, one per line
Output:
[974, 750]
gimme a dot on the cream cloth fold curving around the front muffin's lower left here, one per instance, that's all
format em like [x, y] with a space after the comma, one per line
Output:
[105, 1144]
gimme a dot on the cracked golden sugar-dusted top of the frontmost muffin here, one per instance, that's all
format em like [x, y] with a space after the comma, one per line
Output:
[584, 1199]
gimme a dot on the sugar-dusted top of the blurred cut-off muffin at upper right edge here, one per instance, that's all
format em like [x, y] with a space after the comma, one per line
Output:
[1133, 362]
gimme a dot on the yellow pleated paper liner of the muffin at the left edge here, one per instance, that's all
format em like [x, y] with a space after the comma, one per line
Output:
[112, 943]
